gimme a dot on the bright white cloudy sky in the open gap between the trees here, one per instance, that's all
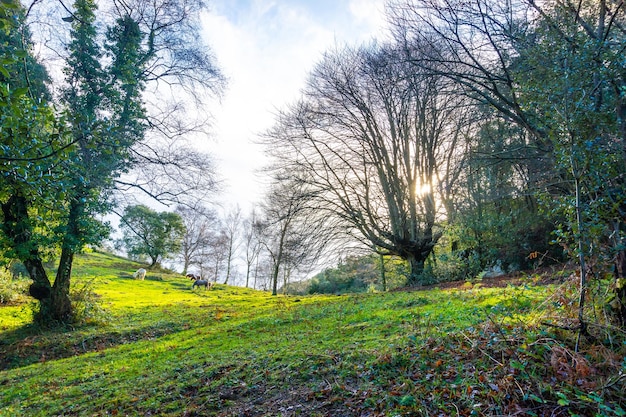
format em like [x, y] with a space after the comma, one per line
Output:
[265, 49]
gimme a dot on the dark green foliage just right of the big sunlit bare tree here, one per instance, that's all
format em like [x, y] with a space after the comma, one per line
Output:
[498, 218]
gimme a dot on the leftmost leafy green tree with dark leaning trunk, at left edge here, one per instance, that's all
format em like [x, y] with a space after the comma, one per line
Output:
[34, 145]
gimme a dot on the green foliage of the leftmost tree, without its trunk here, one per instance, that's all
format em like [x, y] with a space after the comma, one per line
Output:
[31, 142]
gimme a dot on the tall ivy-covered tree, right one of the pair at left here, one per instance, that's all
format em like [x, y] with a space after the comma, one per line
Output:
[105, 118]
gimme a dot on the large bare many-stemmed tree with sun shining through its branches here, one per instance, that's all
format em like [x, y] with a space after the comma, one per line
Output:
[374, 138]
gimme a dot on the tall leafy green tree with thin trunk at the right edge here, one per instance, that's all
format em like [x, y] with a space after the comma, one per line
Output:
[575, 85]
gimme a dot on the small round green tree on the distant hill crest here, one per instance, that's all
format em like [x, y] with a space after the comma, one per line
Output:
[147, 232]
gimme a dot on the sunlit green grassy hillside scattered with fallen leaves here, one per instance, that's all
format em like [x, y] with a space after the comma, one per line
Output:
[156, 347]
